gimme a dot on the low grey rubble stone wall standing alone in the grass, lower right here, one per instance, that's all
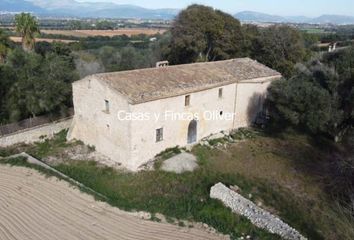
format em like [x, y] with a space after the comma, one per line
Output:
[256, 215]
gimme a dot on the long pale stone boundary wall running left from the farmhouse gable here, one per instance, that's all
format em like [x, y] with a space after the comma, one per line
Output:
[35, 134]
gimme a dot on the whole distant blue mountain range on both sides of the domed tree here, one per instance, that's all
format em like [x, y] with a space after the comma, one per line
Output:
[73, 8]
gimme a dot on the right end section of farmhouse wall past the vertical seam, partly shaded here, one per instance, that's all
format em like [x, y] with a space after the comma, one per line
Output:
[250, 99]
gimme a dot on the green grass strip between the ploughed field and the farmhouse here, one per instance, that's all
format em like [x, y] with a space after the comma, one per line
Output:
[184, 196]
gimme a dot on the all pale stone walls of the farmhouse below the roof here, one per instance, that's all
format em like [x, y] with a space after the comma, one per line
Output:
[134, 142]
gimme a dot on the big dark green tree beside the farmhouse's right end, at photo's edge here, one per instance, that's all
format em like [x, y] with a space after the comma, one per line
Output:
[316, 98]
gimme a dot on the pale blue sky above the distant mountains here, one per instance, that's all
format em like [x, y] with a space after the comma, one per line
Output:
[281, 7]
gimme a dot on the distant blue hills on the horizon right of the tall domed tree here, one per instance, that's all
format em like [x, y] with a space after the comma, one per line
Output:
[249, 16]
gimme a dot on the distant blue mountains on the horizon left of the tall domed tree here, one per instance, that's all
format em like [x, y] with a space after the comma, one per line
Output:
[72, 8]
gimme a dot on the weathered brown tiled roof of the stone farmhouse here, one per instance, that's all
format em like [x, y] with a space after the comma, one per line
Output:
[150, 84]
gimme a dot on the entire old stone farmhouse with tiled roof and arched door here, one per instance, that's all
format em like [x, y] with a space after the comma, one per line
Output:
[131, 116]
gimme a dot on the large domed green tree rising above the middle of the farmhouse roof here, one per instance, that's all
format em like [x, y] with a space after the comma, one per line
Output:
[200, 33]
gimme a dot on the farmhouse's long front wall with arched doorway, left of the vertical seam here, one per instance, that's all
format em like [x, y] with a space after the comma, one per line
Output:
[206, 106]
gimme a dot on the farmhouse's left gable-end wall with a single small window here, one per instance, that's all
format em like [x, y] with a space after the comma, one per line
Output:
[95, 126]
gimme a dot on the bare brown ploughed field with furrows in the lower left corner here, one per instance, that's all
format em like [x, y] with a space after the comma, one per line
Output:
[35, 207]
